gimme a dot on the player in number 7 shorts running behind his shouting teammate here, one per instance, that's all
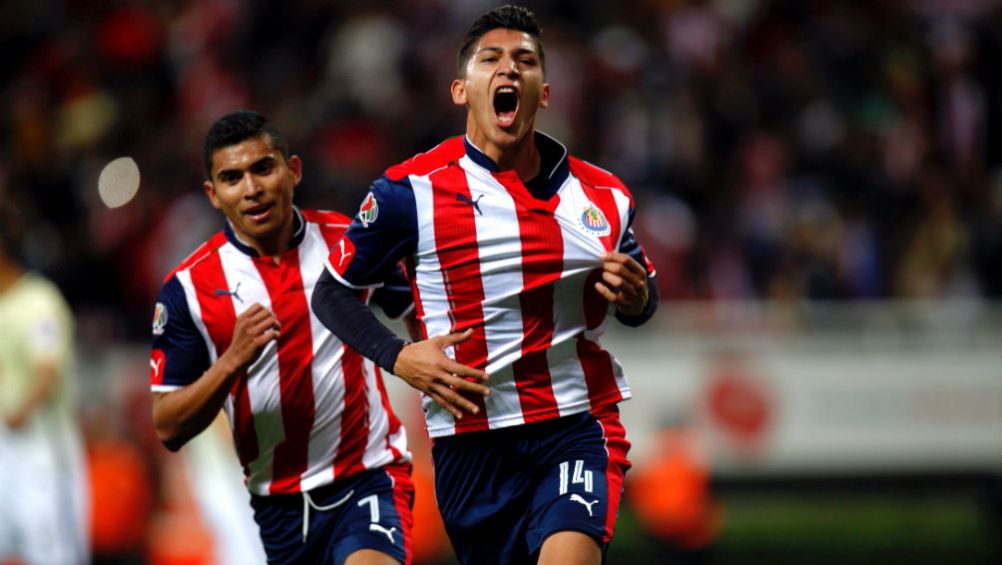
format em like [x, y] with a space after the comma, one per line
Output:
[324, 457]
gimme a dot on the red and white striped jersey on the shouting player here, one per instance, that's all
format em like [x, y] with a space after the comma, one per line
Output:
[519, 269]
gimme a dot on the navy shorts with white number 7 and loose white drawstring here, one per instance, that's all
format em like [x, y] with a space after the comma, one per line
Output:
[371, 510]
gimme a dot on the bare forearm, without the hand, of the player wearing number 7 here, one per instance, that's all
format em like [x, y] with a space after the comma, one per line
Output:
[180, 416]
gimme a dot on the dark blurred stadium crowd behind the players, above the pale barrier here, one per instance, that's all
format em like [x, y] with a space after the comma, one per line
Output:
[777, 150]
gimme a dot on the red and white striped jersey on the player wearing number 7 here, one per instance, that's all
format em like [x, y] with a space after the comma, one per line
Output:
[310, 410]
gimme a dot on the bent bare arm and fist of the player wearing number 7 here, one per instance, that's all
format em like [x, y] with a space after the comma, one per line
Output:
[182, 415]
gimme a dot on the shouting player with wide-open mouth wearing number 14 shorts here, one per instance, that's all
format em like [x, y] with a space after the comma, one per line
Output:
[517, 253]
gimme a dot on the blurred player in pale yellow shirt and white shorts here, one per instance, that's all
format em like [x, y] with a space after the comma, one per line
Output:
[44, 500]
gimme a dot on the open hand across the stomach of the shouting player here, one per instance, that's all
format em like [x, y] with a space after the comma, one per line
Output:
[425, 367]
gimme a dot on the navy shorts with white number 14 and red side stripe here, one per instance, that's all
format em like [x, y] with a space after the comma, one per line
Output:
[504, 492]
